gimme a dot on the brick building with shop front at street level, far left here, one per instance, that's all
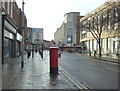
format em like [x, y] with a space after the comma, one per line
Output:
[11, 31]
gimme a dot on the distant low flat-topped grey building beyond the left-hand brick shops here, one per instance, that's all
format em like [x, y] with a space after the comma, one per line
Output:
[34, 38]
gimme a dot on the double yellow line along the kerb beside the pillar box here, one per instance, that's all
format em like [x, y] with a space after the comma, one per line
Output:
[78, 84]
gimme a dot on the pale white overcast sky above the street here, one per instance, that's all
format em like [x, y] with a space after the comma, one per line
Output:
[49, 14]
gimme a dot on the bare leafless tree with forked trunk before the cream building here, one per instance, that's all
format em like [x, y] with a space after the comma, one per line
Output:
[96, 25]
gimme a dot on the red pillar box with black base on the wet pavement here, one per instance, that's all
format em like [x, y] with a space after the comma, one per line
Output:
[53, 60]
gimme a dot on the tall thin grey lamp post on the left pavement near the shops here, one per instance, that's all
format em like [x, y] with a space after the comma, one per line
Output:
[22, 56]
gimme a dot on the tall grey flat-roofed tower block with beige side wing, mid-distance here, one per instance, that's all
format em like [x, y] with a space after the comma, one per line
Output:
[68, 35]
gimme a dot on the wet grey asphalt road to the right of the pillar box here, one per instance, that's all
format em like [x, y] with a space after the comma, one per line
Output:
[91, 72]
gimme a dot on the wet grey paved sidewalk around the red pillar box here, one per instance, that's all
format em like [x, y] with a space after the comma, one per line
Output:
[34, 75]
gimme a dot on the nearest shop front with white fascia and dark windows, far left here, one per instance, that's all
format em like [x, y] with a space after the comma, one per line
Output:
[9, 30]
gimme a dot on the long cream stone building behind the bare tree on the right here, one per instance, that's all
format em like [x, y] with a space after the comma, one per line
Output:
[102, 24]
